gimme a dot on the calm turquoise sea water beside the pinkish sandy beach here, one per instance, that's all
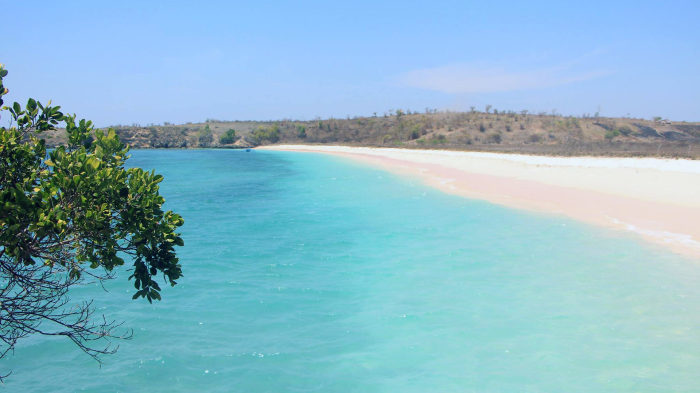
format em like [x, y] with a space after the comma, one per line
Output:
[310, 273]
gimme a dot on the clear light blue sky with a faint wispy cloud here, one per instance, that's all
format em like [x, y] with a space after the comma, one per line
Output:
[178, 61]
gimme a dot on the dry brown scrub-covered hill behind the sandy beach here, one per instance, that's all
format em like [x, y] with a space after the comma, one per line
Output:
[496, 131]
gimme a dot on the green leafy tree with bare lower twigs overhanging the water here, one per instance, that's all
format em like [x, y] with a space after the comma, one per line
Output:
[71, 214]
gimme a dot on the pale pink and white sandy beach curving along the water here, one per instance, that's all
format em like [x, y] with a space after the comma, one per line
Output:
[659, 199]
